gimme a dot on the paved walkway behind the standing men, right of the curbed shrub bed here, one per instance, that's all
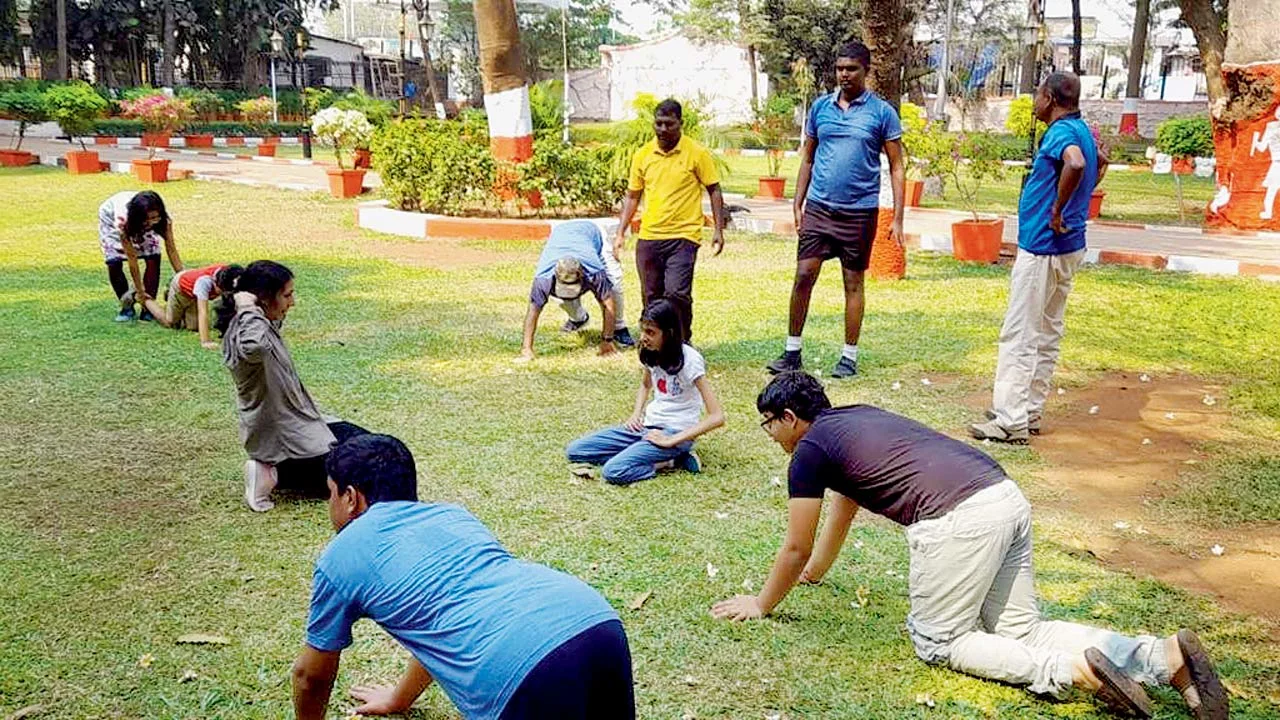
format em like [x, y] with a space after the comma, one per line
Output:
[1164, 241]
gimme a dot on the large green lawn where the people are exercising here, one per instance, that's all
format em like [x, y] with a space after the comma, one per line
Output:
[124, 527]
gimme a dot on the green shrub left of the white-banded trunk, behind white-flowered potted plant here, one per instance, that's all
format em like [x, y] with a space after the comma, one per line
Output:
[433, 166]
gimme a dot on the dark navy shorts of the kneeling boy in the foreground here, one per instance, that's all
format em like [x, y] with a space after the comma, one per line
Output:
[588, 678]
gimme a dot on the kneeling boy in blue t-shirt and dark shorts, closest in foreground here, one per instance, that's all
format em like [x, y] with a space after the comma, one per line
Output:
[505, 639]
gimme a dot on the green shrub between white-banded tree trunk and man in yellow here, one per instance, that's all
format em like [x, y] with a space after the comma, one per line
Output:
[572, 179]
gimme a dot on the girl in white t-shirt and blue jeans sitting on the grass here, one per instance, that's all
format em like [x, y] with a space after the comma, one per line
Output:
[662, 435]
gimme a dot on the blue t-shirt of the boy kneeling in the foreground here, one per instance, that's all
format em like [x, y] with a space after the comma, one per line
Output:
[435, 578]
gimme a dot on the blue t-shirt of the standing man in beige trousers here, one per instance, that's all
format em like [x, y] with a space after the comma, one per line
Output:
[1037, 203]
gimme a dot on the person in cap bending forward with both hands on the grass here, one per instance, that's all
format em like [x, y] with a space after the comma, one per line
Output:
[575, 261]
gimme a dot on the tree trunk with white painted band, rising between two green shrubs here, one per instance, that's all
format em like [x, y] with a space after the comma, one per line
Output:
[502, 72]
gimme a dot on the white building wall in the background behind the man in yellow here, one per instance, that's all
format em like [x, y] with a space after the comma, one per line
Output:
[716, 76]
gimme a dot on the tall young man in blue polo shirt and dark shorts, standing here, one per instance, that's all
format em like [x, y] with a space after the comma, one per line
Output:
[838, 198]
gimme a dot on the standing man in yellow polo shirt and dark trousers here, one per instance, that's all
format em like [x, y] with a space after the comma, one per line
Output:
[671, 172]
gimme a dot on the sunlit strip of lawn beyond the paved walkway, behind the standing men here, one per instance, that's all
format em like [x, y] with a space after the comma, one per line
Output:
[1132, 198]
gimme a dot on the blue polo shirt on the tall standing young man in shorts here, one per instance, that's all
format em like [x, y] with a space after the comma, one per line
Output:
[847, 163]
